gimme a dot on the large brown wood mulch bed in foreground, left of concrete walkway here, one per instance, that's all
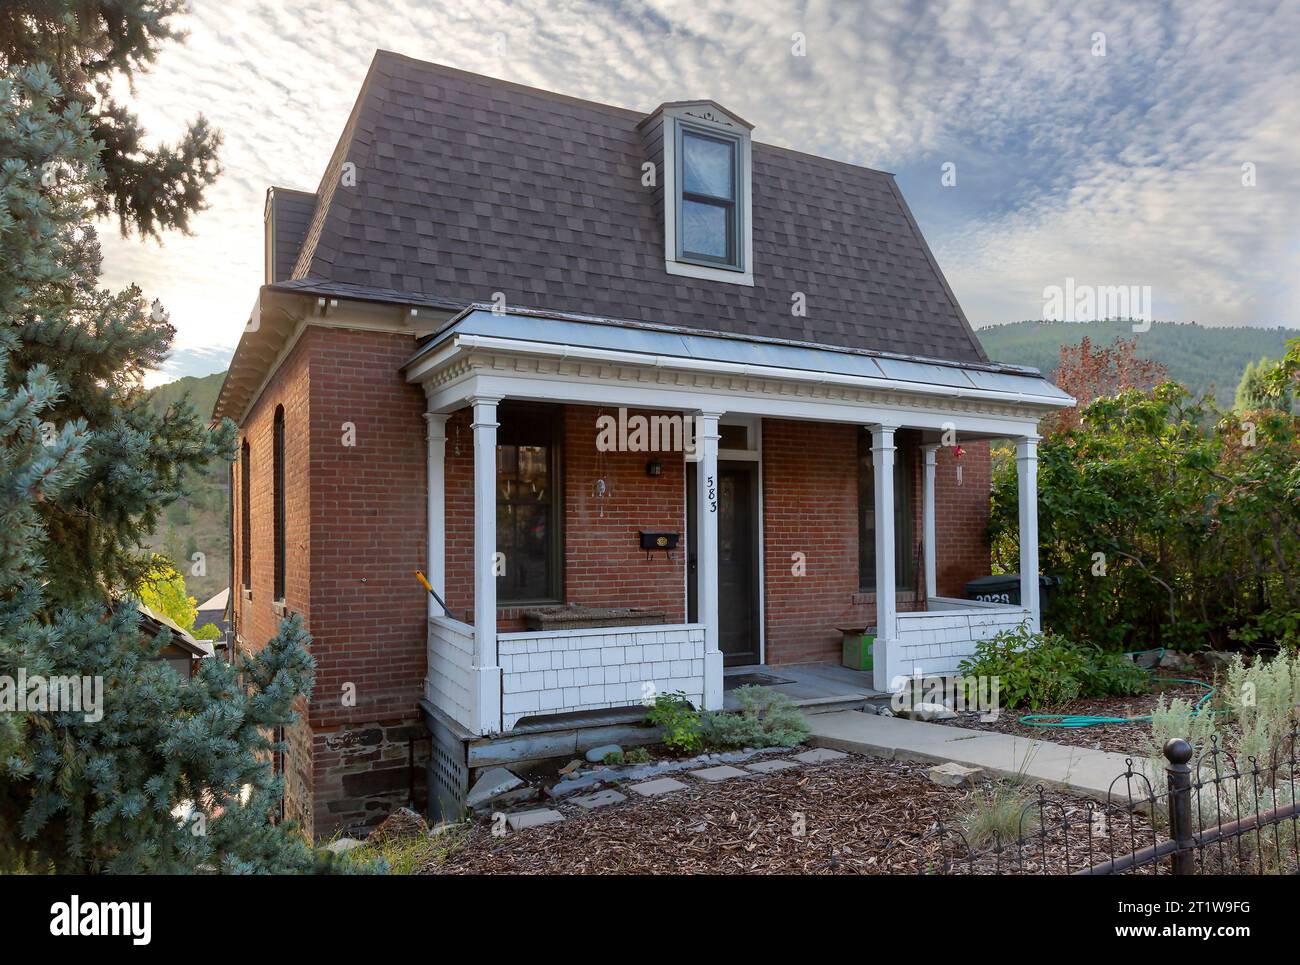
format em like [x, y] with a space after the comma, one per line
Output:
[856, 816]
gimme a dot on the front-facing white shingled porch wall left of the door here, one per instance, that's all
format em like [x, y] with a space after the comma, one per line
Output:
[564, 670]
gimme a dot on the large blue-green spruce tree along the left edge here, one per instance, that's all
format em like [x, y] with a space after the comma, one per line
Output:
[162, 774]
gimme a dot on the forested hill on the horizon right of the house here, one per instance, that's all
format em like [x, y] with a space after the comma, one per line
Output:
[1201, 358]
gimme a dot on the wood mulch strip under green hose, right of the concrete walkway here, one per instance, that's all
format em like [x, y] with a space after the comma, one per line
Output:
[1117, 738]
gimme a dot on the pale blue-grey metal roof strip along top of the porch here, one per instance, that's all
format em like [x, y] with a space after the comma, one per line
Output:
[610, 335]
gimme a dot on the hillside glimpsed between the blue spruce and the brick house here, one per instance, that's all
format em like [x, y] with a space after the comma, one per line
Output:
[202, 522]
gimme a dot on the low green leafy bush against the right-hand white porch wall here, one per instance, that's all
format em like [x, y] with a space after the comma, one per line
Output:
[1045, 670]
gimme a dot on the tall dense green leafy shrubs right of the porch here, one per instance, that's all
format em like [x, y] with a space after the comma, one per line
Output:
[1169, 521]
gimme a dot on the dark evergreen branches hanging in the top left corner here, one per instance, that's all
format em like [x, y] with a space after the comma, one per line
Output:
[88, 45]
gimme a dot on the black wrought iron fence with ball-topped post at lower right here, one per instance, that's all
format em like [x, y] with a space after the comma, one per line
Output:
[1206, 815]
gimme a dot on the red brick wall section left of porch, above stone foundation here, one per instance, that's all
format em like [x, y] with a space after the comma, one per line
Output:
[369, 535]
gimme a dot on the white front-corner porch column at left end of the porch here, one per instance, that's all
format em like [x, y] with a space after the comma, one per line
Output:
[487, 672]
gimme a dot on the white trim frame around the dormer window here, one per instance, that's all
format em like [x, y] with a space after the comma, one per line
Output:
[707, 122]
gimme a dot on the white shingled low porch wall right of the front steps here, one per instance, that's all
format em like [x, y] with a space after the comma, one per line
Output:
[935, 642]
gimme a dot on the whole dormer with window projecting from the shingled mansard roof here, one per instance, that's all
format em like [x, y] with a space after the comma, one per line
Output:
[703, 154]
